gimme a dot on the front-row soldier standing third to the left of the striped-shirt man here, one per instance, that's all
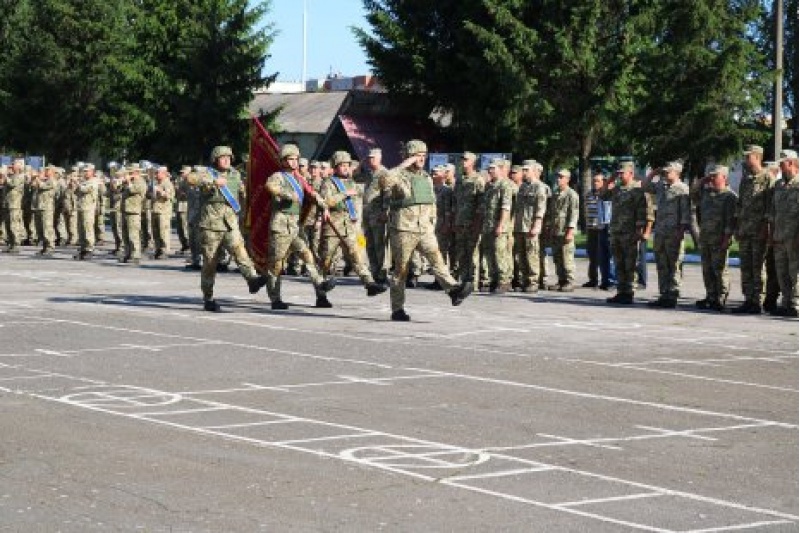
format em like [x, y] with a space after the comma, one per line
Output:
[496, 227]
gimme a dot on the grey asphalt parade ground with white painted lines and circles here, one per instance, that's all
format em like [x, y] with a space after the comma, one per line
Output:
[125, 407]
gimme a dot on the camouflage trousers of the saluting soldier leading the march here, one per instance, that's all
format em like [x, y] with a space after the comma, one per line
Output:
[403, 245]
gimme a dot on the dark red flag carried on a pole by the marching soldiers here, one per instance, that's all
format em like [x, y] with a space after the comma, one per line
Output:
[264, 161]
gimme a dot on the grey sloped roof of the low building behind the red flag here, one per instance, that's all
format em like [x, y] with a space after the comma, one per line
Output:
[302, 112]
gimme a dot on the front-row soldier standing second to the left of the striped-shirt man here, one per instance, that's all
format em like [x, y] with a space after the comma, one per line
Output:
[529, 212]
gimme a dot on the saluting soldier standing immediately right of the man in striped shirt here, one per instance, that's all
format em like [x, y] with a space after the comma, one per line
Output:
[630, 224]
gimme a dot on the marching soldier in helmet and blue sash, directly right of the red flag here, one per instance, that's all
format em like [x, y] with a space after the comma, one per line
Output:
[288, 191]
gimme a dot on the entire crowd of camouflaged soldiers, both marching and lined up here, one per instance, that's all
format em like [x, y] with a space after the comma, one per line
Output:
[493, 226]
